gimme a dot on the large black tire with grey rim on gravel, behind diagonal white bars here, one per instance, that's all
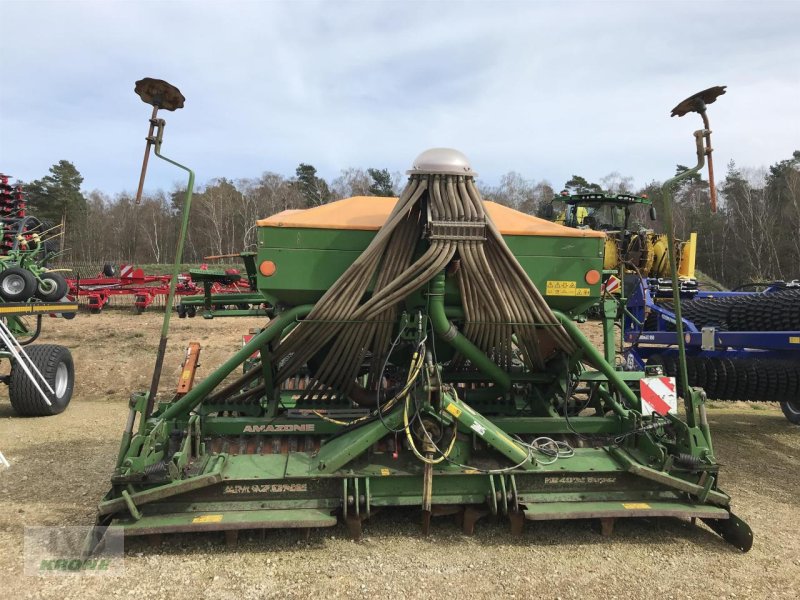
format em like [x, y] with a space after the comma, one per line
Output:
[55, 364]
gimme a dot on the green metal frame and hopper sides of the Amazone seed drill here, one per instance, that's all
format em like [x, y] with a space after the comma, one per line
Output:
[251, 453]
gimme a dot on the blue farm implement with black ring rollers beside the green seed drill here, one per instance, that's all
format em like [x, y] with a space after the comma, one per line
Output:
[739, 345]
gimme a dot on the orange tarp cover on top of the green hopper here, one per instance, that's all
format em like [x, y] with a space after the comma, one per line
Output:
[368, 213]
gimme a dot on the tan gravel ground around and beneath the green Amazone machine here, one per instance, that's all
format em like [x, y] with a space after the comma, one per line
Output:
[60, 468]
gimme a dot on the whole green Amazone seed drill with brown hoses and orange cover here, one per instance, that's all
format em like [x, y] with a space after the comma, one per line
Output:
[420, 352]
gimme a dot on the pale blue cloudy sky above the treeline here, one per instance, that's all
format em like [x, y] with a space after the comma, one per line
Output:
[543, 88]
